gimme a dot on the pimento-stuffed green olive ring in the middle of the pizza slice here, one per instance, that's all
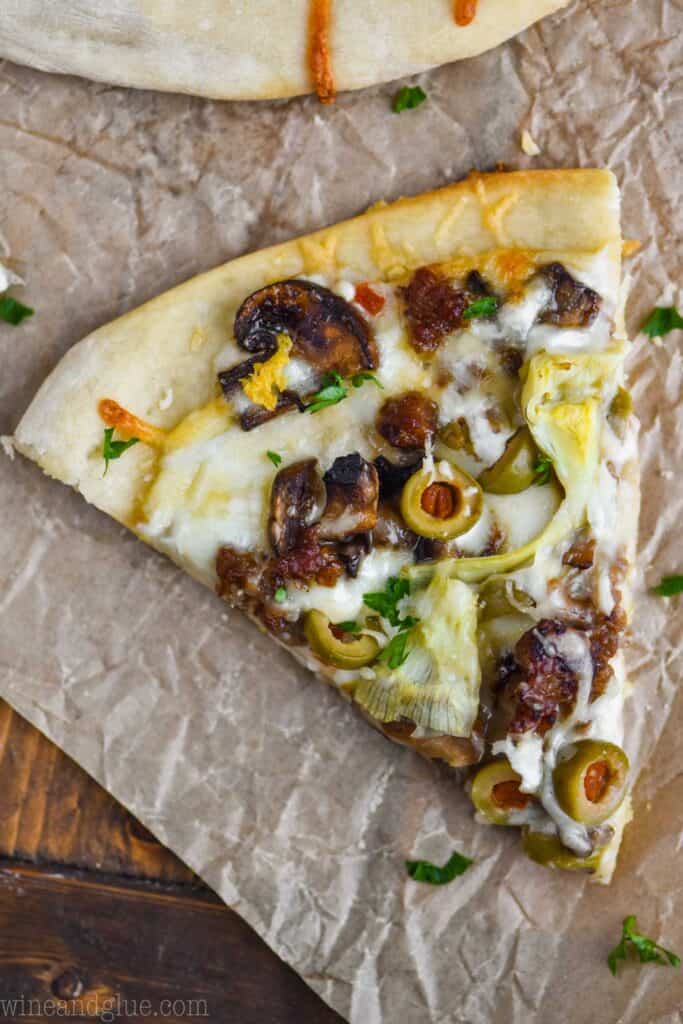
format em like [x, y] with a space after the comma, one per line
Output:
[442, 506]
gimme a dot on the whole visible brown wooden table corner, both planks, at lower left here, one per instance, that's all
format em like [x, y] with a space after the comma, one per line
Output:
[96, 912]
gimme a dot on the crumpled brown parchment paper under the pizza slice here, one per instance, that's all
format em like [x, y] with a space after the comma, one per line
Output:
[260, 778]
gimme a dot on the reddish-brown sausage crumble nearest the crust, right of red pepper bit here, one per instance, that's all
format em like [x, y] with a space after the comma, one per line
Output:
[434, 309]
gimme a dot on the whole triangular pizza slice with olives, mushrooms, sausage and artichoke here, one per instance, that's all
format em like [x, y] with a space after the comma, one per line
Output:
[404, 448]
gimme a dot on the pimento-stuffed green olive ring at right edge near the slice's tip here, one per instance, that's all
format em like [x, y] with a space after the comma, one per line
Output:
[590, 782]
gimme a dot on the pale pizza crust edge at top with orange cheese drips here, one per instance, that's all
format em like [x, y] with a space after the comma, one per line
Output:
[229, 50]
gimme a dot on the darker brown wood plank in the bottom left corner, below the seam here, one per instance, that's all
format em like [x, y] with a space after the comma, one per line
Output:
[94, 946]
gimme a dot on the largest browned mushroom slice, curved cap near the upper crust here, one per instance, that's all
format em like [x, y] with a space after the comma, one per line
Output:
[326, 330]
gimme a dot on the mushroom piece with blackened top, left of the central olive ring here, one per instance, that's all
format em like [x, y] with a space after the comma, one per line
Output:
[353, 487]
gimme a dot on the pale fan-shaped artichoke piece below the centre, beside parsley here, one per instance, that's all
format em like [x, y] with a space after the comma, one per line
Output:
[438, 686]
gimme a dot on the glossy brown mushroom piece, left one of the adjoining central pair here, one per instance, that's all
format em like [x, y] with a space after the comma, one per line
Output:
[297, 500]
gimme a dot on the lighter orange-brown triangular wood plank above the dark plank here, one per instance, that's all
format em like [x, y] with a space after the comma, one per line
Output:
[53, 812]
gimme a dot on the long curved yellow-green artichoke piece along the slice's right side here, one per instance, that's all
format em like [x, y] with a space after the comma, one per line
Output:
[563, 409]
